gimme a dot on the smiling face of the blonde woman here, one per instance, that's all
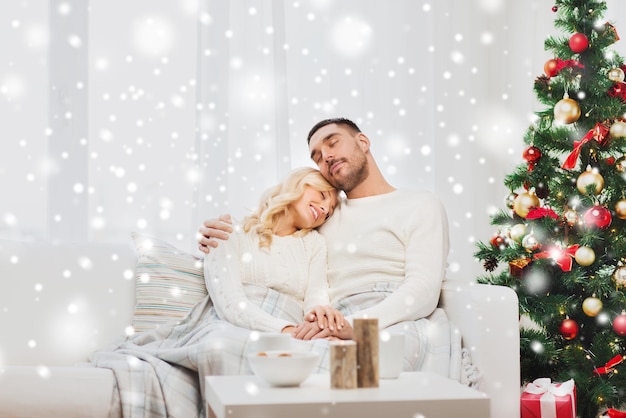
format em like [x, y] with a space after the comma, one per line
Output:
[313, 208]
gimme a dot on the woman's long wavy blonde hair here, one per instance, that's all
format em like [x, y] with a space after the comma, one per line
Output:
[275, 202]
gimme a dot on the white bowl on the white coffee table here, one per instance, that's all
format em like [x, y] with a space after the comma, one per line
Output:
[283, 367]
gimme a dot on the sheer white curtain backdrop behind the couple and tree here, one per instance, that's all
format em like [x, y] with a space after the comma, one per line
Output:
[154, 115]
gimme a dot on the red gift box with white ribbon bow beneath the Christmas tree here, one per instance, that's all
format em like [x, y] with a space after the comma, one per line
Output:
[544, 399]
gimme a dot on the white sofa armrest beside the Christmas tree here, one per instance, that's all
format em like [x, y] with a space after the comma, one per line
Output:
[487, 317]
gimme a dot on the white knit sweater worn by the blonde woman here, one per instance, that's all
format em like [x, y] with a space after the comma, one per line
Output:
[295, 266]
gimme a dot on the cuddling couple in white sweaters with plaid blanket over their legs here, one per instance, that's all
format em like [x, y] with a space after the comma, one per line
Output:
[379, 253]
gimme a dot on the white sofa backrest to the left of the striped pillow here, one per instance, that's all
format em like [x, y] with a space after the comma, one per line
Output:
[62, 301]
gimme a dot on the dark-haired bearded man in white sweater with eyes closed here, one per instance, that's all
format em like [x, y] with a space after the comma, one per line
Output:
[387, 248]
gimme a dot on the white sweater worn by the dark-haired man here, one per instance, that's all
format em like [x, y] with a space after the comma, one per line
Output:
[398, 239]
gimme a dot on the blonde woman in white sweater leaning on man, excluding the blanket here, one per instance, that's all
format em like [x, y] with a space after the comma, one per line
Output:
[277, 248]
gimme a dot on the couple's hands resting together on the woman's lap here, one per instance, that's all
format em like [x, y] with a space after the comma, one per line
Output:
[323, 322]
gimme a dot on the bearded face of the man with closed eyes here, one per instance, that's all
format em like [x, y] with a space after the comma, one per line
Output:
[336, 151]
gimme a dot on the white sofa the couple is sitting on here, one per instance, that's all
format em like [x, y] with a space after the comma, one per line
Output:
[62, 301]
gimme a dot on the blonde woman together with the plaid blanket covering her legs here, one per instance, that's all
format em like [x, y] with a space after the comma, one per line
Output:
[271, 271]
